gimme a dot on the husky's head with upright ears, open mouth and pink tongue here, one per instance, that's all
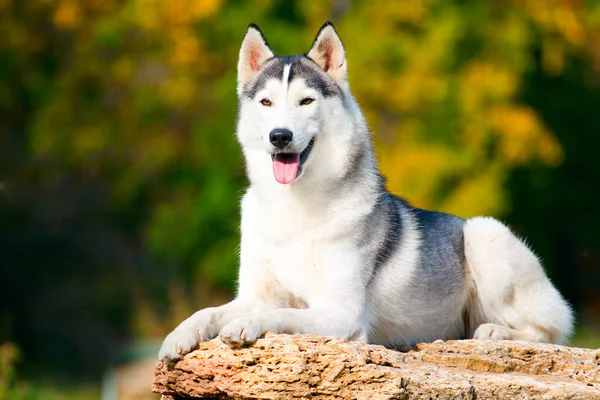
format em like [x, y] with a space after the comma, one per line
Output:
[288, 104]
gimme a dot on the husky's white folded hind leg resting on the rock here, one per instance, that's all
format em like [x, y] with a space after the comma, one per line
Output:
[512, 298]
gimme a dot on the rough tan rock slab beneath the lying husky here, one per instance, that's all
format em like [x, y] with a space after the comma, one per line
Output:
[315, 367]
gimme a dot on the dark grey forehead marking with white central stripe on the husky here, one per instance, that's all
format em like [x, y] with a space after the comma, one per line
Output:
[286, 69]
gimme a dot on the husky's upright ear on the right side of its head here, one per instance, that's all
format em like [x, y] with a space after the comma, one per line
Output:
[328, 52]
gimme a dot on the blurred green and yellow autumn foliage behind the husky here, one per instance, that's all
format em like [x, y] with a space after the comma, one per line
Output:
[120, 176]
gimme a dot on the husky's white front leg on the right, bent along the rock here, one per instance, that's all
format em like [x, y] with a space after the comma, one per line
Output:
[335, 292]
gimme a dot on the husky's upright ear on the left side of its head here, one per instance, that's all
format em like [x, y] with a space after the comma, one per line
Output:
[253, 54]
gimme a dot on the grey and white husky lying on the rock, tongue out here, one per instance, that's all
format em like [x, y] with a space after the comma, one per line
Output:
[326, 250]
